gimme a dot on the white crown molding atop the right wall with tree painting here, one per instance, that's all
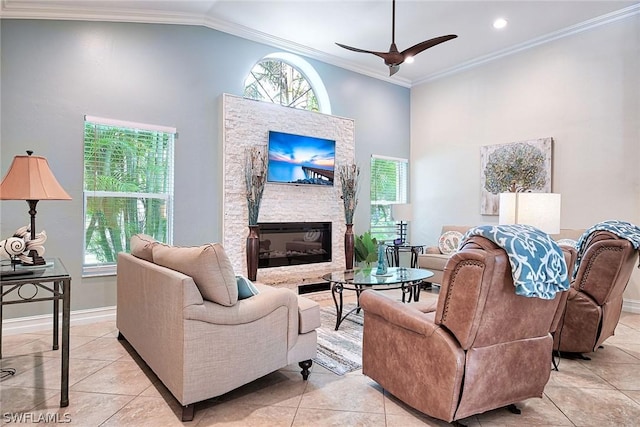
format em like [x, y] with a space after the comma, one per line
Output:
[565, 32]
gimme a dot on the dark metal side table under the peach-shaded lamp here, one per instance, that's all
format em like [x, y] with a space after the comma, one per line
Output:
[23, 286]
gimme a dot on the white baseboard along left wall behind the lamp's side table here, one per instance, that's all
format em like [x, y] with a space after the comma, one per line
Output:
[21, 325]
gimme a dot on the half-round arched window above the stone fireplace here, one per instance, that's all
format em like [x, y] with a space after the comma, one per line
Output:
[288, 80]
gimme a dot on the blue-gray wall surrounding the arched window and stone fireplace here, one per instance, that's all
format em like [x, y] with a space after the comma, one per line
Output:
[55, 72]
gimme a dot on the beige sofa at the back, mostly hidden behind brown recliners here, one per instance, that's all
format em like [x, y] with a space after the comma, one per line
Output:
[434, 259]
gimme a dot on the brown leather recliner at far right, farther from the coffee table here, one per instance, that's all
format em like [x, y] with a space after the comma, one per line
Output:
[594, 303]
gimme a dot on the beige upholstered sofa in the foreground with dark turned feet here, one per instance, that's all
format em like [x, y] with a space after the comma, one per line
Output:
[199, 348]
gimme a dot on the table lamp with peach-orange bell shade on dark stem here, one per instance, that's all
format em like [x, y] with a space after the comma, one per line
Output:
[30, 178]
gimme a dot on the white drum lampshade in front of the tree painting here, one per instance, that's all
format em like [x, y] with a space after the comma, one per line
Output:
[541, 210]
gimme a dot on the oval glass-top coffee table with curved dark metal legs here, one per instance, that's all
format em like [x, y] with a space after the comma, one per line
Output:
[358, 280]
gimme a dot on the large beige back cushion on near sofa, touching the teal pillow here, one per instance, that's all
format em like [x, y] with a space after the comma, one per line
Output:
[208, 266]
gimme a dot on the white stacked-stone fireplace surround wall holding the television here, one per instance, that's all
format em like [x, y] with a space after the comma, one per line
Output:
[246, 123]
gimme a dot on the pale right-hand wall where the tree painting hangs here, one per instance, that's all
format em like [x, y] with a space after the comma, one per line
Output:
[582, 90]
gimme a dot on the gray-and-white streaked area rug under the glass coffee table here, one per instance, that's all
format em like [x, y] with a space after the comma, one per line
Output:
[340, 351]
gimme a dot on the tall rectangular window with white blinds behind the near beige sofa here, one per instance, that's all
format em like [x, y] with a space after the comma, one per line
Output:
[128, 188]
